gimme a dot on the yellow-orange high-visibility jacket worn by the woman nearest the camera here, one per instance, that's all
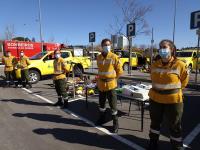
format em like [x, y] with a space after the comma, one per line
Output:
[172, 76]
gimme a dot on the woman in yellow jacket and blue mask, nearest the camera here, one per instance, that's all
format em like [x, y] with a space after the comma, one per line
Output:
[169, 77]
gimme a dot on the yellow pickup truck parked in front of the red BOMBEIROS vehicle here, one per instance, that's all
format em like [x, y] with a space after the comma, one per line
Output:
[42, 64]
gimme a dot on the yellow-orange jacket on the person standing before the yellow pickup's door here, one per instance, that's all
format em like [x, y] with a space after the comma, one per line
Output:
[60, 69]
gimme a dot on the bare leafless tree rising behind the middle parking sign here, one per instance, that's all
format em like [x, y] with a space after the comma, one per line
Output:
[132, 12]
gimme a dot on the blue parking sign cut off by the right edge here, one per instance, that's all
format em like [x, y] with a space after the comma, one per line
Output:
[195, 20]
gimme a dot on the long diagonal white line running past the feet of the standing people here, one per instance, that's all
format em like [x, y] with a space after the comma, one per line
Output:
[115, 136]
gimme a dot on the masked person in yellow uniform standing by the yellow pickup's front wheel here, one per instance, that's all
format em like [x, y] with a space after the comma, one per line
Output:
[23, 63]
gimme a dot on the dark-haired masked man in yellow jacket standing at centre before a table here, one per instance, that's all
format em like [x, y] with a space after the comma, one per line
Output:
[109, 70]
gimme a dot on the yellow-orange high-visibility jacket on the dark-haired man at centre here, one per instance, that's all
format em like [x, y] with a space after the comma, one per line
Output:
[109, 70]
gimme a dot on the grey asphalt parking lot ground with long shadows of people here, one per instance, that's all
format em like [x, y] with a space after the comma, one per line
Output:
[28, 121]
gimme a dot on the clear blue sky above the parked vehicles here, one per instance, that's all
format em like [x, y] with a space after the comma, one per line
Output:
[72, 20]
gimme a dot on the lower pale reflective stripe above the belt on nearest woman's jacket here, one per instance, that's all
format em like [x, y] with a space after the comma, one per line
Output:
[167, 86]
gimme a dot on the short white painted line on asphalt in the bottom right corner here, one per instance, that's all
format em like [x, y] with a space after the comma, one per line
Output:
[188, 140]
